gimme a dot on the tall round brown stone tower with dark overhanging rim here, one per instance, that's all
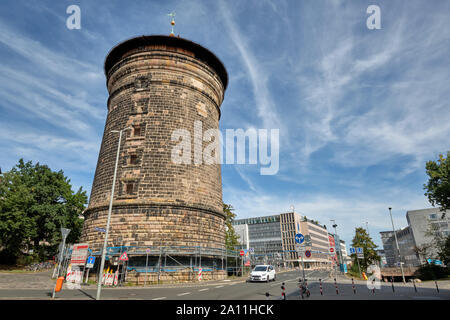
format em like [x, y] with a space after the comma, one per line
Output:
[158, 84]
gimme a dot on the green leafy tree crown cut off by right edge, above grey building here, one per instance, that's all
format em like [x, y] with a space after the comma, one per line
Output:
[438, 187]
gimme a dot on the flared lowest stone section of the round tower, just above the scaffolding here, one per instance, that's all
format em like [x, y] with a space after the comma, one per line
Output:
[154, 225]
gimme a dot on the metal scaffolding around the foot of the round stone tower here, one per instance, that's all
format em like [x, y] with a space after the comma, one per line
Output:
[162, 264]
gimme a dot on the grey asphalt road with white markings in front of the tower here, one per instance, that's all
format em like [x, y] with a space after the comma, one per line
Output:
[241, 290]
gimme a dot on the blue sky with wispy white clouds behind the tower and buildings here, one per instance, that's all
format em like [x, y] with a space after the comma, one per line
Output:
[359, 111]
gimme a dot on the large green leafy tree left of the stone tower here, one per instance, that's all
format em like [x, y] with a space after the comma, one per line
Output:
[35, 202]
